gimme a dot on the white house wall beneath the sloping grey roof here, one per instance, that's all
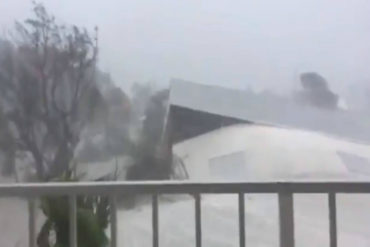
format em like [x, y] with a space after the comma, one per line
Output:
[273, 153]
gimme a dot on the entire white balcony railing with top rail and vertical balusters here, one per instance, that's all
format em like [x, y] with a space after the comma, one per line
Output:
[284, 191]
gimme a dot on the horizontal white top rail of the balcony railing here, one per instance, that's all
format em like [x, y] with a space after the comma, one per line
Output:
[170, 187]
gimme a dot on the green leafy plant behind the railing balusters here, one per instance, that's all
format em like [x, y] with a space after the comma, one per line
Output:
[92, 220]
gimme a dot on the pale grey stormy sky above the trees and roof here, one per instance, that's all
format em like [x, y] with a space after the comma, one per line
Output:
[236, 43]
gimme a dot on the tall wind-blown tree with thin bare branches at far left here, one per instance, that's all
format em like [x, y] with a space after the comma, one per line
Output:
[46, 86]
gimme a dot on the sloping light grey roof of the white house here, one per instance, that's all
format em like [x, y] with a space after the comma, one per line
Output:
[268, 109]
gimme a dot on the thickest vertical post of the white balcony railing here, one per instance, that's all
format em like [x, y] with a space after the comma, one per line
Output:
[286, 214]
